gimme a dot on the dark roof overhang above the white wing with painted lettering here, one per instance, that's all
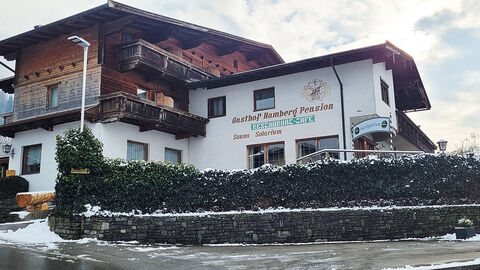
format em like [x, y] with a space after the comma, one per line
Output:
[410, 94]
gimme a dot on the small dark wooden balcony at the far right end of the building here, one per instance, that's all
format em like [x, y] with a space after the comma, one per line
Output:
[413, 134]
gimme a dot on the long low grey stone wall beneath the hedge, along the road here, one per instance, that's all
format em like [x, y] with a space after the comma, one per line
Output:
[271, 227]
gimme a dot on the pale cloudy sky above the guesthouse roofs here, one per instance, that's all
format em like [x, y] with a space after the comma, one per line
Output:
[442, 36]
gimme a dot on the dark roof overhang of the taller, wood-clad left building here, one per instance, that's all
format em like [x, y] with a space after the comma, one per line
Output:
[112, 11]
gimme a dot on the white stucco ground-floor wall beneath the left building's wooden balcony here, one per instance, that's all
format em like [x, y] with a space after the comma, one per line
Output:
[114, 136]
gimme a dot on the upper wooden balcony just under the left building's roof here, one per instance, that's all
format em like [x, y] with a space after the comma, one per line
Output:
[144, 56]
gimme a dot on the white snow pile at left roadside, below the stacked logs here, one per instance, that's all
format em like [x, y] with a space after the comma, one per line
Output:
[35, 233]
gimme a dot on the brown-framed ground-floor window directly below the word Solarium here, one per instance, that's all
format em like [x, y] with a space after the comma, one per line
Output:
[271, 153]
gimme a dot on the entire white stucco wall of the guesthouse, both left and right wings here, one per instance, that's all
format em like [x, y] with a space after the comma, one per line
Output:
[219, 149]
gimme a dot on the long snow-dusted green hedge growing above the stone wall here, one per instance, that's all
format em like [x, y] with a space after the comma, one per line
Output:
[123, 186]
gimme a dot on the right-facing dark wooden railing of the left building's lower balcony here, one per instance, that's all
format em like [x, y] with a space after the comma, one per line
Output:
[149, 115]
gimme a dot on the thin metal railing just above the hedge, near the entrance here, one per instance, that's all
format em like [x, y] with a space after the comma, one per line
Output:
[324, 153]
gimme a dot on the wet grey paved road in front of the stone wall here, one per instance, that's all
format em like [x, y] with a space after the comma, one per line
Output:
[98, 255]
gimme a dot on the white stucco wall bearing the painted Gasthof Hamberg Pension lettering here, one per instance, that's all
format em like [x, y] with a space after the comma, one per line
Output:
[219, 149]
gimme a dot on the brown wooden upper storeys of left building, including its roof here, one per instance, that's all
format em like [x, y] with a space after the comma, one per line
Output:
[130, 50]
